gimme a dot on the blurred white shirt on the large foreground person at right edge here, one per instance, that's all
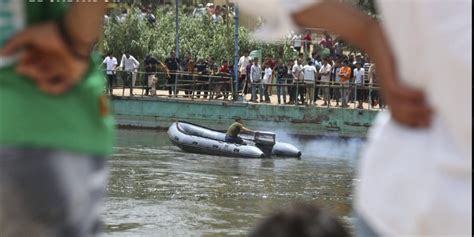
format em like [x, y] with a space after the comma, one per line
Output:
[417, 182]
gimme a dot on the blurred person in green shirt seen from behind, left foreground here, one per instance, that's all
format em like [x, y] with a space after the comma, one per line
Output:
[55, 126]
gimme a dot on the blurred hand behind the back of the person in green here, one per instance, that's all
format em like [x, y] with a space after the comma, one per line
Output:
[45, 58]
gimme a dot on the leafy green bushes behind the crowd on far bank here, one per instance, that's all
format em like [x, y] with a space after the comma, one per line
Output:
[200, 36]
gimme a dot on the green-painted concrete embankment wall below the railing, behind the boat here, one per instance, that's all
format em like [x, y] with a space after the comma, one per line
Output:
[299, 120]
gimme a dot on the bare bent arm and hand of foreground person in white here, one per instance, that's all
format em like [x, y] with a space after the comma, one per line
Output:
[407, 105]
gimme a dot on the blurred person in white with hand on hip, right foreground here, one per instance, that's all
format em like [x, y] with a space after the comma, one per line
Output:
[416, 170]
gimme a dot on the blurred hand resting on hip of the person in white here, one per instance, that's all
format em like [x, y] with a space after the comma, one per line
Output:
[407, 106]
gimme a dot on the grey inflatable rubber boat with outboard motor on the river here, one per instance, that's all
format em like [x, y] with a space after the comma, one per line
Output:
[197, 139]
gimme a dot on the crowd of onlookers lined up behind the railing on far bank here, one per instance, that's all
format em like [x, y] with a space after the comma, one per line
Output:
[337, 78]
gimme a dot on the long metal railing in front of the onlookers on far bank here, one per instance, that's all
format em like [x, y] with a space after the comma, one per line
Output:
[212, 87]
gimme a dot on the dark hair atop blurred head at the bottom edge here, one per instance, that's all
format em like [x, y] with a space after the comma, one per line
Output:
[300, 219]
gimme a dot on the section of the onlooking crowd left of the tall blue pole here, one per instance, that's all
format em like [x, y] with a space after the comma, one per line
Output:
[186, 74]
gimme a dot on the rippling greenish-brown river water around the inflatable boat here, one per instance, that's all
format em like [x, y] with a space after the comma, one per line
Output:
[155, 189]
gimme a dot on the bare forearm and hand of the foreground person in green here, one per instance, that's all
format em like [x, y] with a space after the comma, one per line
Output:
[56, 57]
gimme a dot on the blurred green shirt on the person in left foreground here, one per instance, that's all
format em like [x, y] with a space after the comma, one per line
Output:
[75, 121]
